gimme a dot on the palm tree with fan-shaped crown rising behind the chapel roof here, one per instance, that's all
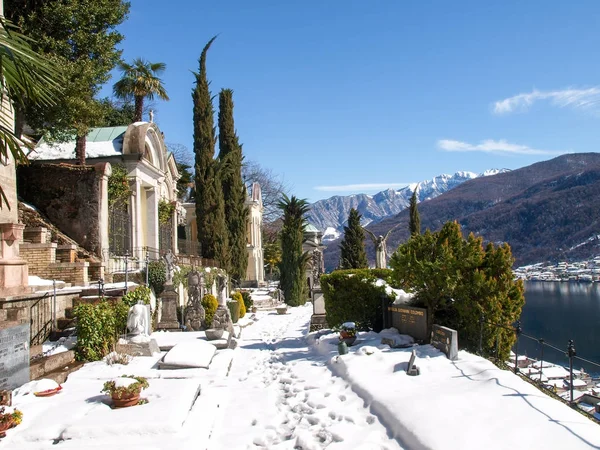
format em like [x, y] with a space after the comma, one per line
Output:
[140, 81]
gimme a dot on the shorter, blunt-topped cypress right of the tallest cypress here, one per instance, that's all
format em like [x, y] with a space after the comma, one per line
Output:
[234, 192]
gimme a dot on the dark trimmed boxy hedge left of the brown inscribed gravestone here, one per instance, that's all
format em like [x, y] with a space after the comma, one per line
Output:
[351, 296]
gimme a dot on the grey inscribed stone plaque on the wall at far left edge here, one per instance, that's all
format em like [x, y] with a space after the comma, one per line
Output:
[14, 356]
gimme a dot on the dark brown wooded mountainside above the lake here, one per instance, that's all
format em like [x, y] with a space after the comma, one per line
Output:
[547, 211]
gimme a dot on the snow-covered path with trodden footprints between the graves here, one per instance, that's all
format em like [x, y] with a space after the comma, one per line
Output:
[281, 395]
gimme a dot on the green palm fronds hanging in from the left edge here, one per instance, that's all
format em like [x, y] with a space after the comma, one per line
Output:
[24, 75]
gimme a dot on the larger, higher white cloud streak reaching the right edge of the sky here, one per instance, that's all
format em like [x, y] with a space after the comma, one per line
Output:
[588, 99]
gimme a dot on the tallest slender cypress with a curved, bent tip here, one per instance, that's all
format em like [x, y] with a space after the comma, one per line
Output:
[210, 210]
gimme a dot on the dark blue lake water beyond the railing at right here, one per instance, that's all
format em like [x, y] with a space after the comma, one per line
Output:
[558, 312]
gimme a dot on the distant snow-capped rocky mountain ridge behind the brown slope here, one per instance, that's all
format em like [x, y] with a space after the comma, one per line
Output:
[332, 214]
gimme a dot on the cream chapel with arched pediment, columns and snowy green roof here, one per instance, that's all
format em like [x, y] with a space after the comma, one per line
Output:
[141, 226]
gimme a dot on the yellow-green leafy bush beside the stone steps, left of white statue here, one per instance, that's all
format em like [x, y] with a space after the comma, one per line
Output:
[98, 328]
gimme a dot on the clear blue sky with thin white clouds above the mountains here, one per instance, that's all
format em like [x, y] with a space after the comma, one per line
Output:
[331, 94]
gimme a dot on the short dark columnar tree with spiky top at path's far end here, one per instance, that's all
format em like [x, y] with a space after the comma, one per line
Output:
[293, 261]
